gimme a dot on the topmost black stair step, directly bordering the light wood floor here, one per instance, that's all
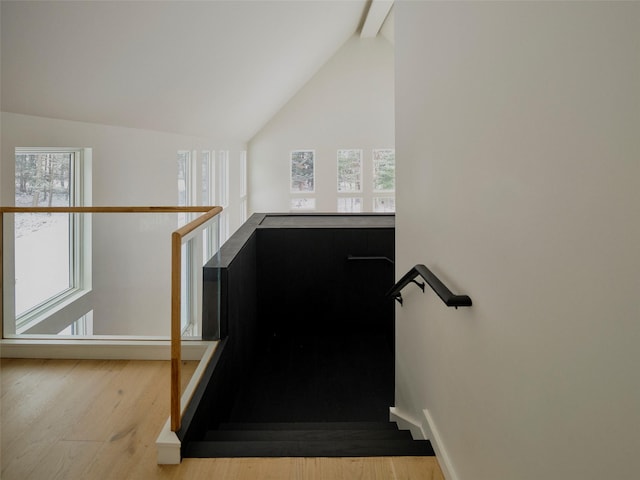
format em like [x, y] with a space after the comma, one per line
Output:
[317, 448]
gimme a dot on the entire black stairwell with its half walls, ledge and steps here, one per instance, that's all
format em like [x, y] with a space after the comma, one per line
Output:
[306, 363]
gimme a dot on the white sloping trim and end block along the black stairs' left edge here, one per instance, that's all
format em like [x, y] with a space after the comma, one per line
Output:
[168, 444]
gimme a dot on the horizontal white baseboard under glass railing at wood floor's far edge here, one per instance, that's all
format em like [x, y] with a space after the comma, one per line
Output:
[99, 349]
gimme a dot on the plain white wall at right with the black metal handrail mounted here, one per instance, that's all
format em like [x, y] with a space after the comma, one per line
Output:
[518, 164]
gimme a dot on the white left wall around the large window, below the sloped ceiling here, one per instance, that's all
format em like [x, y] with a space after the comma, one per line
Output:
[130, 167]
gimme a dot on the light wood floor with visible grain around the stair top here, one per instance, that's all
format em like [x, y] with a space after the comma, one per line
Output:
[95, 419]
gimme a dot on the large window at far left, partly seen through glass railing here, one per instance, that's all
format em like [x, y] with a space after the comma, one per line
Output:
[51, 249]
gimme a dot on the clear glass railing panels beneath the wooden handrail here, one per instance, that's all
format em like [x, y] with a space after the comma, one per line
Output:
[99, 275]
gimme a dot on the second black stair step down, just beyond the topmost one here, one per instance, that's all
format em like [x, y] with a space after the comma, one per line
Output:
[306, 435]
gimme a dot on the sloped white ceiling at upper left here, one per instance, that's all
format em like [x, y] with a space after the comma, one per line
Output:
[219, 69]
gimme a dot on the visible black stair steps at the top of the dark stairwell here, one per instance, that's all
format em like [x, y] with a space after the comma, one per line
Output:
[301, 439]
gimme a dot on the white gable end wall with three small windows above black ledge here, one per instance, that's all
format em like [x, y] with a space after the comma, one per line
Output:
[347, 104]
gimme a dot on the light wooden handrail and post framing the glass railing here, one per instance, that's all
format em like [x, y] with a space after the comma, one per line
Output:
[177, 238]
